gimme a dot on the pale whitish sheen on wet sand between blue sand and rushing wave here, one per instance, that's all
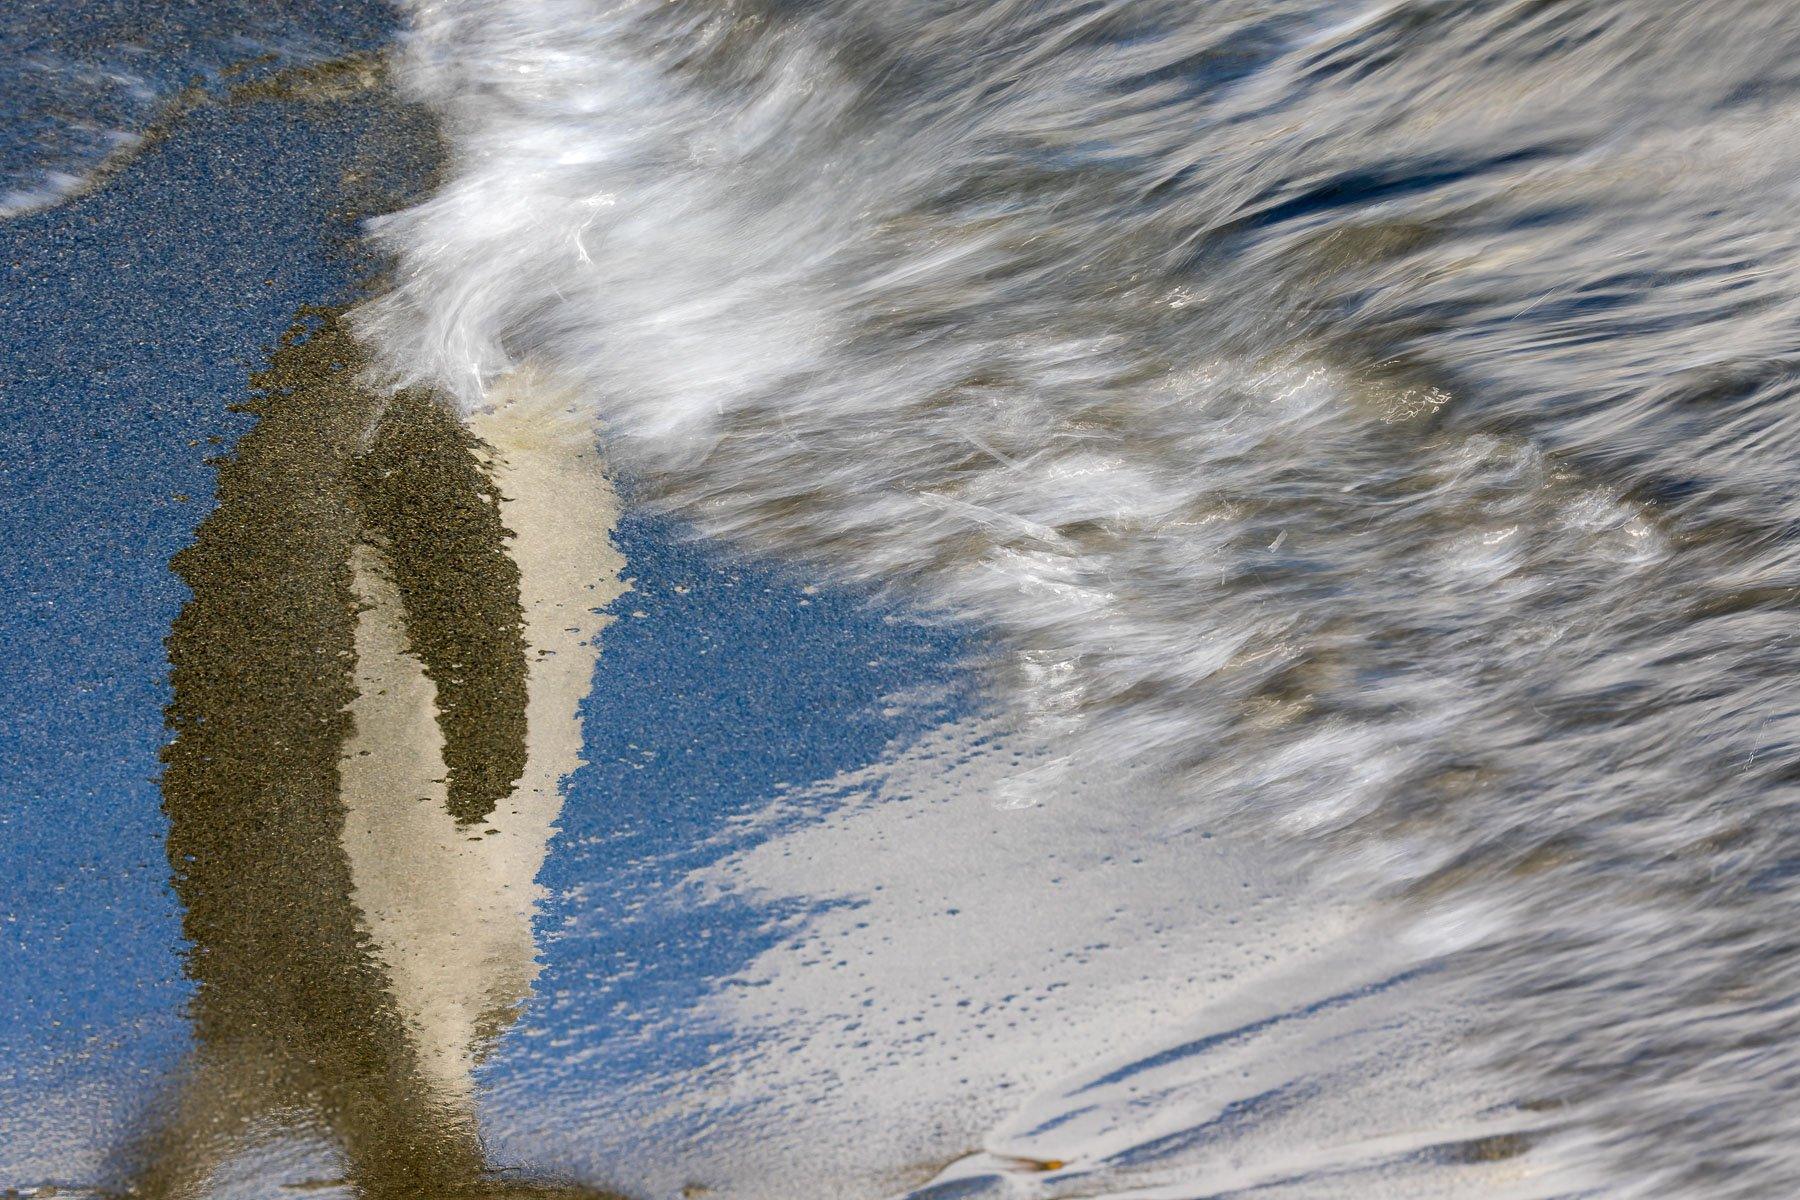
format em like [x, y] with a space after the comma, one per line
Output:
[1110, 1014]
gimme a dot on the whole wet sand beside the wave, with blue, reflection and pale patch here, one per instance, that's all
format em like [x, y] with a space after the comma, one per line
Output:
[519, 845]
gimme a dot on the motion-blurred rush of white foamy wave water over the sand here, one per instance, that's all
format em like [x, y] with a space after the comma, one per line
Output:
[1372, 420]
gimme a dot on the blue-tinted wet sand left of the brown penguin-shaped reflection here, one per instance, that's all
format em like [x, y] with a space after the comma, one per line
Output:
[136, 316]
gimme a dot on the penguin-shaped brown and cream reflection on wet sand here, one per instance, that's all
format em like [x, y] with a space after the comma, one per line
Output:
[377, 690]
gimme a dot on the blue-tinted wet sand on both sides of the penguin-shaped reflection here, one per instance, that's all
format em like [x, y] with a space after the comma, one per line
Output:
[136, 316]
